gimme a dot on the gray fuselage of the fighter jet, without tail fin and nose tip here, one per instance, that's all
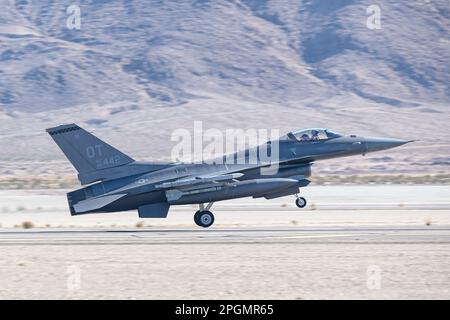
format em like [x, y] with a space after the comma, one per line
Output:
[293, 160]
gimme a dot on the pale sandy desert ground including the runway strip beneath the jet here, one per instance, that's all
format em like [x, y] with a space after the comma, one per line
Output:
[351, 242]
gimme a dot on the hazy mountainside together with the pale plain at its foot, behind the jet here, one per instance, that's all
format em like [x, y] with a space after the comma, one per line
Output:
[149, 67]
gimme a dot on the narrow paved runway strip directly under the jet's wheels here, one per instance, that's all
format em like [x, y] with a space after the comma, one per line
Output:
[242, 235]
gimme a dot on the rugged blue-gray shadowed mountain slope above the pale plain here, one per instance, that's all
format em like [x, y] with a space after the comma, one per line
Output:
[173, 51]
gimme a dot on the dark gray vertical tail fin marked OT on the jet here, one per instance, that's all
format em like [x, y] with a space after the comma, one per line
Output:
[86, 152]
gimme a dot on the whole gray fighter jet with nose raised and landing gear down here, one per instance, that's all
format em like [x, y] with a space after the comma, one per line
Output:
[113, 181]
